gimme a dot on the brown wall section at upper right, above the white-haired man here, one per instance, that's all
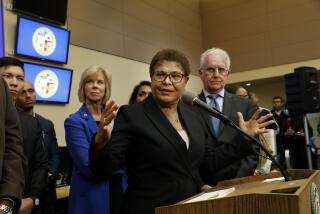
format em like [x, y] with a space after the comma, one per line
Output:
[262, 33]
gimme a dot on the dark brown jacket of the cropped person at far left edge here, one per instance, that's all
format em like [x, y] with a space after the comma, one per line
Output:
[11, 149]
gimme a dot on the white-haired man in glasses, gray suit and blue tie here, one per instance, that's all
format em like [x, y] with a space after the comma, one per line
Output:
[214, 70]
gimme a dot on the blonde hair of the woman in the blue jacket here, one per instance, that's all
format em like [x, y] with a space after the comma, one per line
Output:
[92, 70]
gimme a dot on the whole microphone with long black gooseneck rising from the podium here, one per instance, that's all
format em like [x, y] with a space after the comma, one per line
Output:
[192, 100]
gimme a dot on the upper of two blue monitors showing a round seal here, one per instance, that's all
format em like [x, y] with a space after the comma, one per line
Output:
[42, 41]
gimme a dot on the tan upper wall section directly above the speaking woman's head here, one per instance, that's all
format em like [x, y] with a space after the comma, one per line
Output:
[137, 29]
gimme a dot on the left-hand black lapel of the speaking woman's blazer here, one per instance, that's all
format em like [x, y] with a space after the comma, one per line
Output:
[160, 121]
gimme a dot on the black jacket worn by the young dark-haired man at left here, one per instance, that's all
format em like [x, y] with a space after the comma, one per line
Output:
[37, 169]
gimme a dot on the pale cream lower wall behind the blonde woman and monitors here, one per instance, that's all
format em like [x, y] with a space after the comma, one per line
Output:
[125, 74]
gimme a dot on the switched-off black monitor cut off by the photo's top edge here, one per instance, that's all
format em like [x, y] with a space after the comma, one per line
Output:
[51, 10]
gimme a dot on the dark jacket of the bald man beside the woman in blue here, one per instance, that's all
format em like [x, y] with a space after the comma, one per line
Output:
[51, 147]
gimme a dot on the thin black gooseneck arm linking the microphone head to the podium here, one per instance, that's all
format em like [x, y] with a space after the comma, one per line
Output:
[230, 123]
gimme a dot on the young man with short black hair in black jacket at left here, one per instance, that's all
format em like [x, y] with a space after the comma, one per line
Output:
[11, 70]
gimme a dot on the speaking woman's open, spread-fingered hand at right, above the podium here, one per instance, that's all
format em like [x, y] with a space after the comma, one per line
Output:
[255, 125]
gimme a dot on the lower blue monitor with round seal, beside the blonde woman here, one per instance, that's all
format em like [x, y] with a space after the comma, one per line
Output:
[52, 84]
